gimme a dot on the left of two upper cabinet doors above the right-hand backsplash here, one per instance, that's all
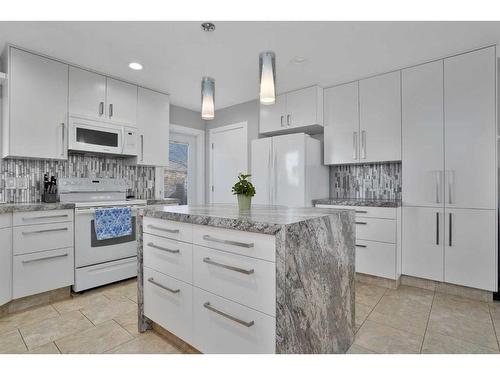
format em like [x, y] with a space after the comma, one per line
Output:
[341, 137]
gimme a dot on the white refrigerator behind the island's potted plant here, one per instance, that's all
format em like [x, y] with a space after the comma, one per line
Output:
[287, 170]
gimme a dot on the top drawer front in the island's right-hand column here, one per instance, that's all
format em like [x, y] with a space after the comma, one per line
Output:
[250, 244]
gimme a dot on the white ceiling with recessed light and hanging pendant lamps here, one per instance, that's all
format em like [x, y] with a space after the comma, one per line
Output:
[175, 55]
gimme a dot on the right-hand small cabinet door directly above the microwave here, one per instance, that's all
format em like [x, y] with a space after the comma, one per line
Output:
[121, 101]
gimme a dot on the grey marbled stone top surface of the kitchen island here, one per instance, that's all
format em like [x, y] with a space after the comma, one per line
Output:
[261, 219]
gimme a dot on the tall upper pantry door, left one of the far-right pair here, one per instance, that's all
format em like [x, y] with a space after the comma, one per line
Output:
[422, 135]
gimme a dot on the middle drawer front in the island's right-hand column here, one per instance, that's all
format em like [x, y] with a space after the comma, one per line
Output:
[249, 281]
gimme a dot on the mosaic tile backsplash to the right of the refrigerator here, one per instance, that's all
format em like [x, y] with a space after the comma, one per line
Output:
[366, 181]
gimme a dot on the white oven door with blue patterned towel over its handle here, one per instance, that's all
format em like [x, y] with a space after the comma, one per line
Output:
[89, 250]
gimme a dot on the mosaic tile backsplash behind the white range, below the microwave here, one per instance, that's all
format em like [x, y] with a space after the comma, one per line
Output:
[77, 165]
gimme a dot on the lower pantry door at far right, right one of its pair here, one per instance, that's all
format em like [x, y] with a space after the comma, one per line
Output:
[470, 251]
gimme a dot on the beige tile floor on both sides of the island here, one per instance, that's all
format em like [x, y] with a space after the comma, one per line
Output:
[407, 320]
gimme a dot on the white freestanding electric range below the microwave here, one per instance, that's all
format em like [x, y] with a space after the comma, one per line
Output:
[99, 262]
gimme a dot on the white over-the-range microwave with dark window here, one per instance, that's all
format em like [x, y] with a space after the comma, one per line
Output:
[94, 136]
